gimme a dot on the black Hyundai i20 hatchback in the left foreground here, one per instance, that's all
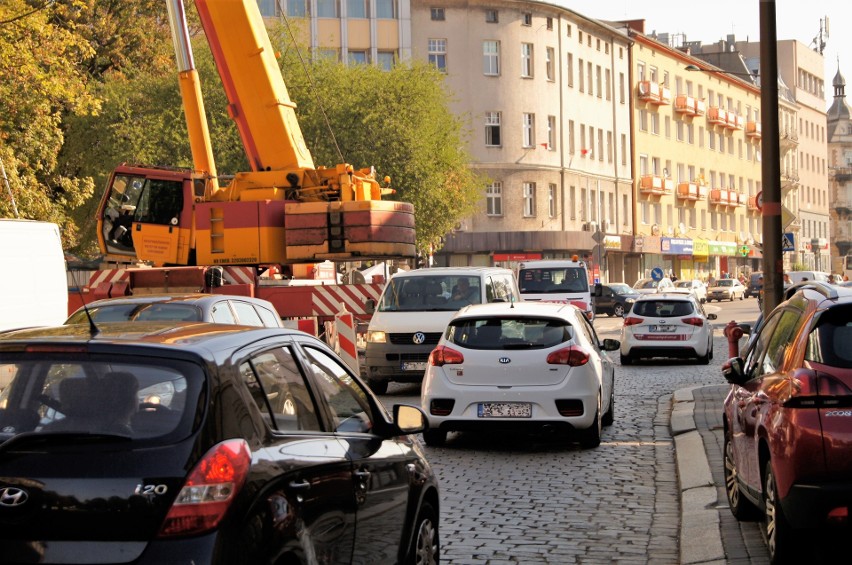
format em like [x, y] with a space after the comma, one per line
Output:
[203, 443]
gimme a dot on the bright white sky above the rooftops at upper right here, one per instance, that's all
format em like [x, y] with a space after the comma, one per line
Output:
[709, 22]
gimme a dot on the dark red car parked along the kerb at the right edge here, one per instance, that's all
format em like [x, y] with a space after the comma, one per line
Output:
[788, 421]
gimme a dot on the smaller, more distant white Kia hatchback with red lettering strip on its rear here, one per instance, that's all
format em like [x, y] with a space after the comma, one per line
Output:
[667, 325]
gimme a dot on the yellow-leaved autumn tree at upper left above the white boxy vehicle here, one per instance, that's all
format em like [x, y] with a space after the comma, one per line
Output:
[40, 83]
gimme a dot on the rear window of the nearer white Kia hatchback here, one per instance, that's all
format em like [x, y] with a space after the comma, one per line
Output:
[508, 333]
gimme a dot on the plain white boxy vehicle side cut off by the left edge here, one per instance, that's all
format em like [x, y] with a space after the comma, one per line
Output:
[34, 287]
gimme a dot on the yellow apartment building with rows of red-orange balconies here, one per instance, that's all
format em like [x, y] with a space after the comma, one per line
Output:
[696, 160]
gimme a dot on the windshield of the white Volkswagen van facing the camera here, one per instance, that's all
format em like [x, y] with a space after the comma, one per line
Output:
[430, 293]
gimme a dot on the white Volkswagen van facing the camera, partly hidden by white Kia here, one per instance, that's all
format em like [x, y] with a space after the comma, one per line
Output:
[414, 310]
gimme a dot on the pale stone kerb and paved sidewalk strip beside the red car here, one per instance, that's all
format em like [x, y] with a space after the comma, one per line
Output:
[709, 533]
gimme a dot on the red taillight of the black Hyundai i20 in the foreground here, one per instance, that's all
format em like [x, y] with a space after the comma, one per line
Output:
[209, 490]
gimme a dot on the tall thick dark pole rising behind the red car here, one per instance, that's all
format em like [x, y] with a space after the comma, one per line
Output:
[773, 260]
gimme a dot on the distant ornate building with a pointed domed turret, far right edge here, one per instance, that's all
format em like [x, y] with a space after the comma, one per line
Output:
[840, 177]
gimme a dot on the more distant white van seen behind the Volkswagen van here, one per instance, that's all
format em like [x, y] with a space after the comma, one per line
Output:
[557, 280]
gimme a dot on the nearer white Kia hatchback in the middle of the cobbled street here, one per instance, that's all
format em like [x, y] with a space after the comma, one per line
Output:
[526, 366]
